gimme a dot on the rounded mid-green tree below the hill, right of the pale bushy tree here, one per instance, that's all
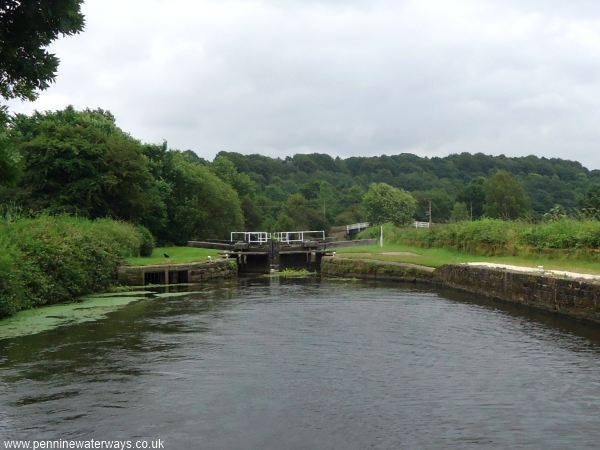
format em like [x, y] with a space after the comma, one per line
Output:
[505, 197]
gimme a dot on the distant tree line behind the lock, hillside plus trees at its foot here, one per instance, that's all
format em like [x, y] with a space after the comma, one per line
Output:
[457, 187]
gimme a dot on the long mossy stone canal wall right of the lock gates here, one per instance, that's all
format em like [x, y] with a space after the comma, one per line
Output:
[576, 297]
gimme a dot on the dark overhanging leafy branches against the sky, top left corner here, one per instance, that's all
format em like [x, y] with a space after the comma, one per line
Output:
[27, 27]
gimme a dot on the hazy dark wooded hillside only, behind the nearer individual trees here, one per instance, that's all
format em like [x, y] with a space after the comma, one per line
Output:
[443, 180]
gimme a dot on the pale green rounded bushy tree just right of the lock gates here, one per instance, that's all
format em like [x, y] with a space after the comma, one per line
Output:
[384, 203]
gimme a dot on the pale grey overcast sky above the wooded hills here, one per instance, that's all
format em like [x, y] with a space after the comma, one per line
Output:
[344, 77]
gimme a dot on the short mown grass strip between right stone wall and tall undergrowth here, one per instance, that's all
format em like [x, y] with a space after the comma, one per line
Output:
[435, 257]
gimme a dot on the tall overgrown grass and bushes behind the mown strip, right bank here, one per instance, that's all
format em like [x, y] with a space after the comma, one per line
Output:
[565, 237]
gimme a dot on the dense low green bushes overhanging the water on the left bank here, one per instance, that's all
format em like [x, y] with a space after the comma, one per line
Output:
[54, 259]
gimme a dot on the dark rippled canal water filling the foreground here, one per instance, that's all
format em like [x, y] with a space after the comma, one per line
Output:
[308, 364]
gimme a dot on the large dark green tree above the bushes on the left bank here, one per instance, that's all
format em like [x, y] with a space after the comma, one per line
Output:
[81, 162]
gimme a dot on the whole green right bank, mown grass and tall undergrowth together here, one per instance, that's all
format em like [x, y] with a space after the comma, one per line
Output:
[564, 245]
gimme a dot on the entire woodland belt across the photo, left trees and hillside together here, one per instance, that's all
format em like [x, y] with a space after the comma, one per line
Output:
[82, 163]
